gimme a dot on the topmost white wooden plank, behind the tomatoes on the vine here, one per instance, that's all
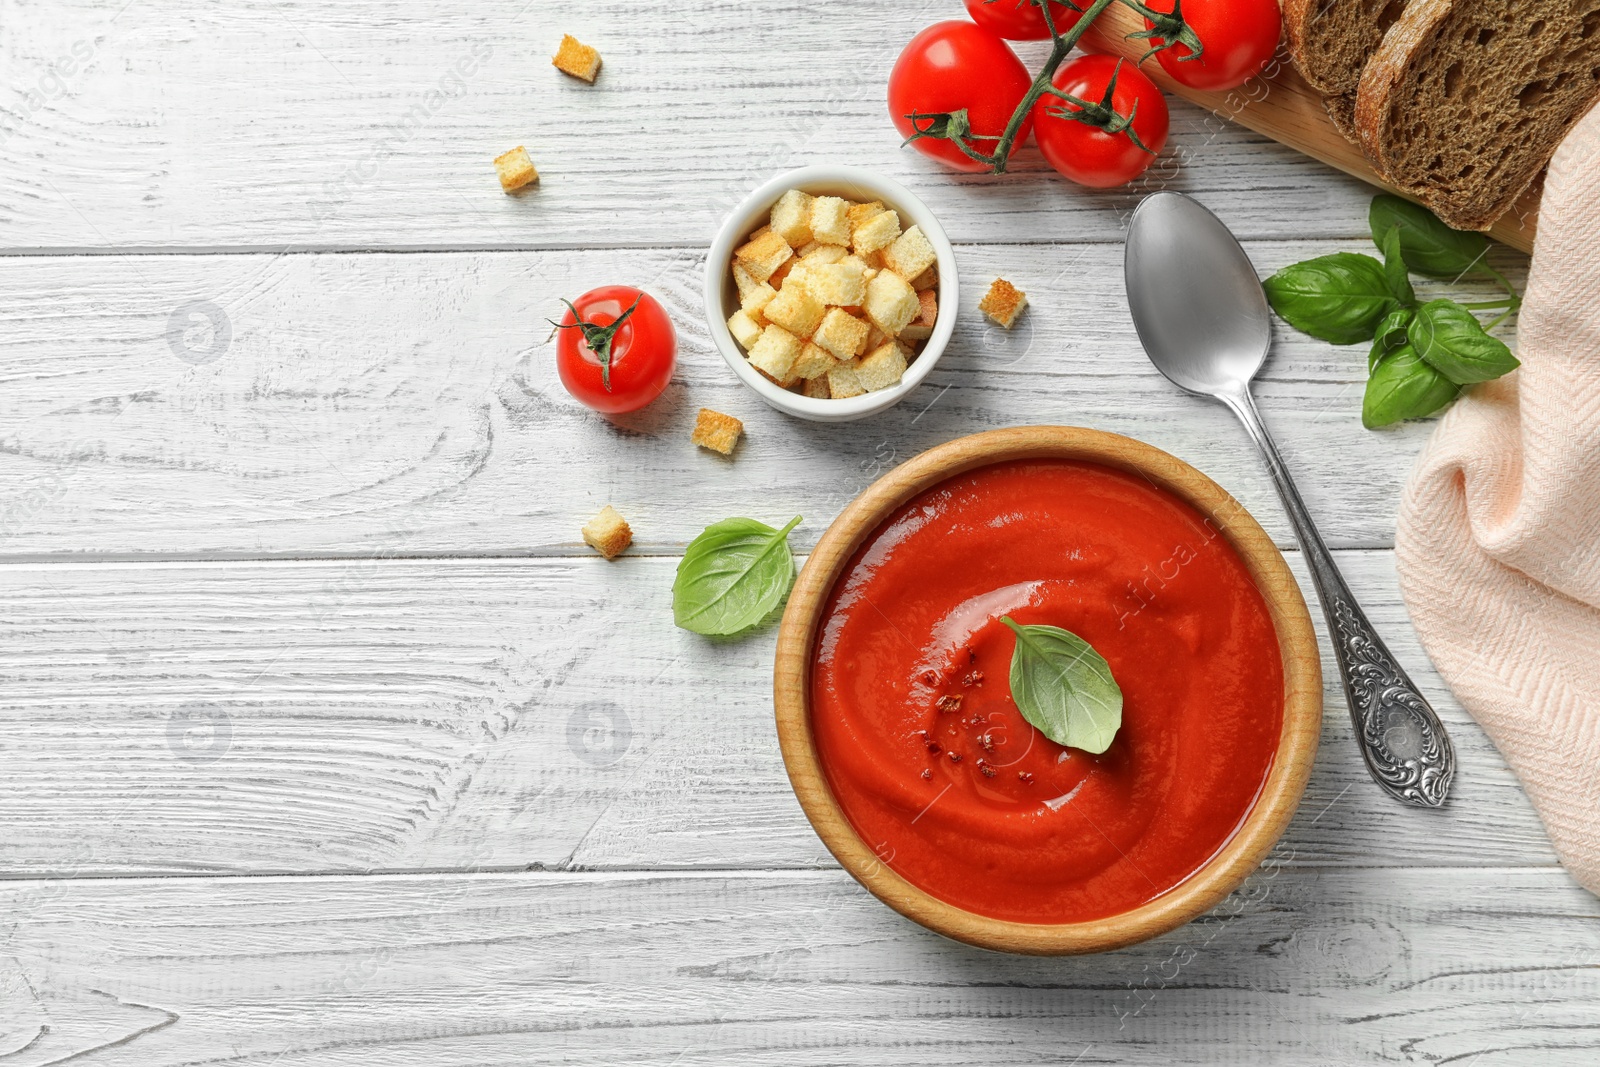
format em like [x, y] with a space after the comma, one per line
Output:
[310, 126]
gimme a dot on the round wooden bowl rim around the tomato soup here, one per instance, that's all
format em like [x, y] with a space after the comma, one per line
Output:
[1302, 692]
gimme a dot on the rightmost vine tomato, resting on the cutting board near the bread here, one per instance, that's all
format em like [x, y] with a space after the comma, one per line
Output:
[1238, 38]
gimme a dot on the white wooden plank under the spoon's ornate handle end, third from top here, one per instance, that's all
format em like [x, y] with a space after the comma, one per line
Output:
[492, 714]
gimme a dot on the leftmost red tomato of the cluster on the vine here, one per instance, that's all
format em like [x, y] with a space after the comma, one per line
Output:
[954, 66]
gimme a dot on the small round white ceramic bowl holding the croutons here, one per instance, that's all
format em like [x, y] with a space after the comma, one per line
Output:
[722, 297]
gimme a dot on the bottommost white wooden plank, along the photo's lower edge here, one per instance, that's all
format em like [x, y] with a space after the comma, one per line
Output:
[1303, 967]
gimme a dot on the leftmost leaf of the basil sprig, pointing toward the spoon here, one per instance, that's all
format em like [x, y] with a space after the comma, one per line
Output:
[1338, 298]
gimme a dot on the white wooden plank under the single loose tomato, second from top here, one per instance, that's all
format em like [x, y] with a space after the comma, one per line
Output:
[407, 404]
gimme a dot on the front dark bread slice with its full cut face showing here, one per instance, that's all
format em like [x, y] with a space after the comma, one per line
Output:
[1466, 100]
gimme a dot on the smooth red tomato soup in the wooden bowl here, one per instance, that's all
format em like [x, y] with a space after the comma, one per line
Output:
[929, 756]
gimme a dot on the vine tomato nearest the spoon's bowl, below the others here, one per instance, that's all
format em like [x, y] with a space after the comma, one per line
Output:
[1086, 153]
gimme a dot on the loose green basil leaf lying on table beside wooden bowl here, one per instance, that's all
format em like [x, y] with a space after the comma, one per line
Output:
[734, 577]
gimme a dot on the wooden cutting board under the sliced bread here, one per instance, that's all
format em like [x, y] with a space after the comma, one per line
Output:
[1289, 111]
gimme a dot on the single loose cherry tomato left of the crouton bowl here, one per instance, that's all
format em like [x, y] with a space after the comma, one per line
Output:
[644, 350]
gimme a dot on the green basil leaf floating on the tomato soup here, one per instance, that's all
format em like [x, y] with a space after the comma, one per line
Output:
[1065, 687]
